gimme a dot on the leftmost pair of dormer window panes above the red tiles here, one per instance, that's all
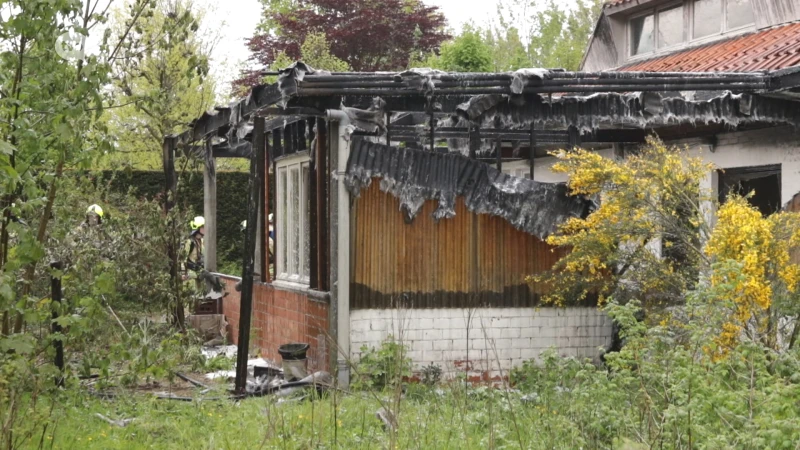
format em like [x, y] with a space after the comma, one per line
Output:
[656, 30]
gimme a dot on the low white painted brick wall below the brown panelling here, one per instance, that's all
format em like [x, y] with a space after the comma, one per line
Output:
[499, 338]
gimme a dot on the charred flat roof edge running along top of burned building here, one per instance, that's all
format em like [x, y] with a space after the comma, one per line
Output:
[499, 117]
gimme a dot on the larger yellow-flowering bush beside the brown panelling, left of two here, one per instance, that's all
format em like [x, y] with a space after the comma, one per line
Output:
[648, 198]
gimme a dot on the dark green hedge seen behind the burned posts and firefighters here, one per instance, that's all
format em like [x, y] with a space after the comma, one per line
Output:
[231, 205]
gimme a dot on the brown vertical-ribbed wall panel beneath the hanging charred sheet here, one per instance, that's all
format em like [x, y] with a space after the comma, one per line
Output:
[469, 260]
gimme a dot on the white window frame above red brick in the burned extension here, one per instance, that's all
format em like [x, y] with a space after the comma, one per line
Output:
[285, 270]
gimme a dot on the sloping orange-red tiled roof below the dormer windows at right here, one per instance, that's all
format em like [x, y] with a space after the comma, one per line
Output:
[772, 49]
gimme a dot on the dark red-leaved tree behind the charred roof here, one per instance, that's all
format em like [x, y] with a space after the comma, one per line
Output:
[371, 35]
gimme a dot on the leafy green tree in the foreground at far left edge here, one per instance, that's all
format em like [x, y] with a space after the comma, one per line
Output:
[52, 97]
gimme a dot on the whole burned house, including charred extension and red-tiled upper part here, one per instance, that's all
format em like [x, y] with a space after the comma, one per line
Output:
[414, 204]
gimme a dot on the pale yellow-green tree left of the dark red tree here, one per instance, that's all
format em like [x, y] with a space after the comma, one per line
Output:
[161, 81]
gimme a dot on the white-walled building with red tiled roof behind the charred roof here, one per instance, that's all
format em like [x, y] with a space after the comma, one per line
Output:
[714, 36]
